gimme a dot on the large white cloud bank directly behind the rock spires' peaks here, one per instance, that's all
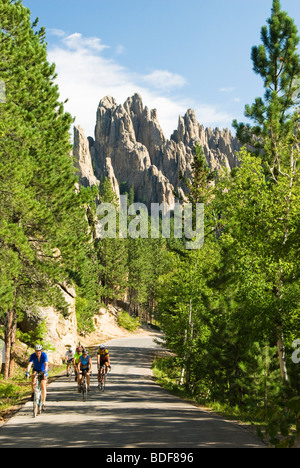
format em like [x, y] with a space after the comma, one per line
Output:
[86, 75]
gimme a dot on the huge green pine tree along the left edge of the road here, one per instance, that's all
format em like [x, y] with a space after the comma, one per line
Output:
[41, 229]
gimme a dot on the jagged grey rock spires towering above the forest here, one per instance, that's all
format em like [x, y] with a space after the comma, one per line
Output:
[131, 150]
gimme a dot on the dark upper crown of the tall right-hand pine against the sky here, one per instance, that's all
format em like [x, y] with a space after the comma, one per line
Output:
[275, 117]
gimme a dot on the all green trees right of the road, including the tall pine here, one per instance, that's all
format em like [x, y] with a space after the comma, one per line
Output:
[230, 310]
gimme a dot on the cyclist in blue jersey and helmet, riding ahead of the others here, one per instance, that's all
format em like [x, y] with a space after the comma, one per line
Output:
[39, 362]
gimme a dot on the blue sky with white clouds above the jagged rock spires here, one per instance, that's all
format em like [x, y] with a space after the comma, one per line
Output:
[176, 54]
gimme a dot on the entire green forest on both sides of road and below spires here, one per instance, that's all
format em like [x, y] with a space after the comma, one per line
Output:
[230, 309]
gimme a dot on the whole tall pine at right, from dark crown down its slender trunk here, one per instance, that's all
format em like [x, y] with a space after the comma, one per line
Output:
[275, 134]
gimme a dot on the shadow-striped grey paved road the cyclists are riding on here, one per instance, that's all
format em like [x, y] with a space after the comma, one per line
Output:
[134, 412]
